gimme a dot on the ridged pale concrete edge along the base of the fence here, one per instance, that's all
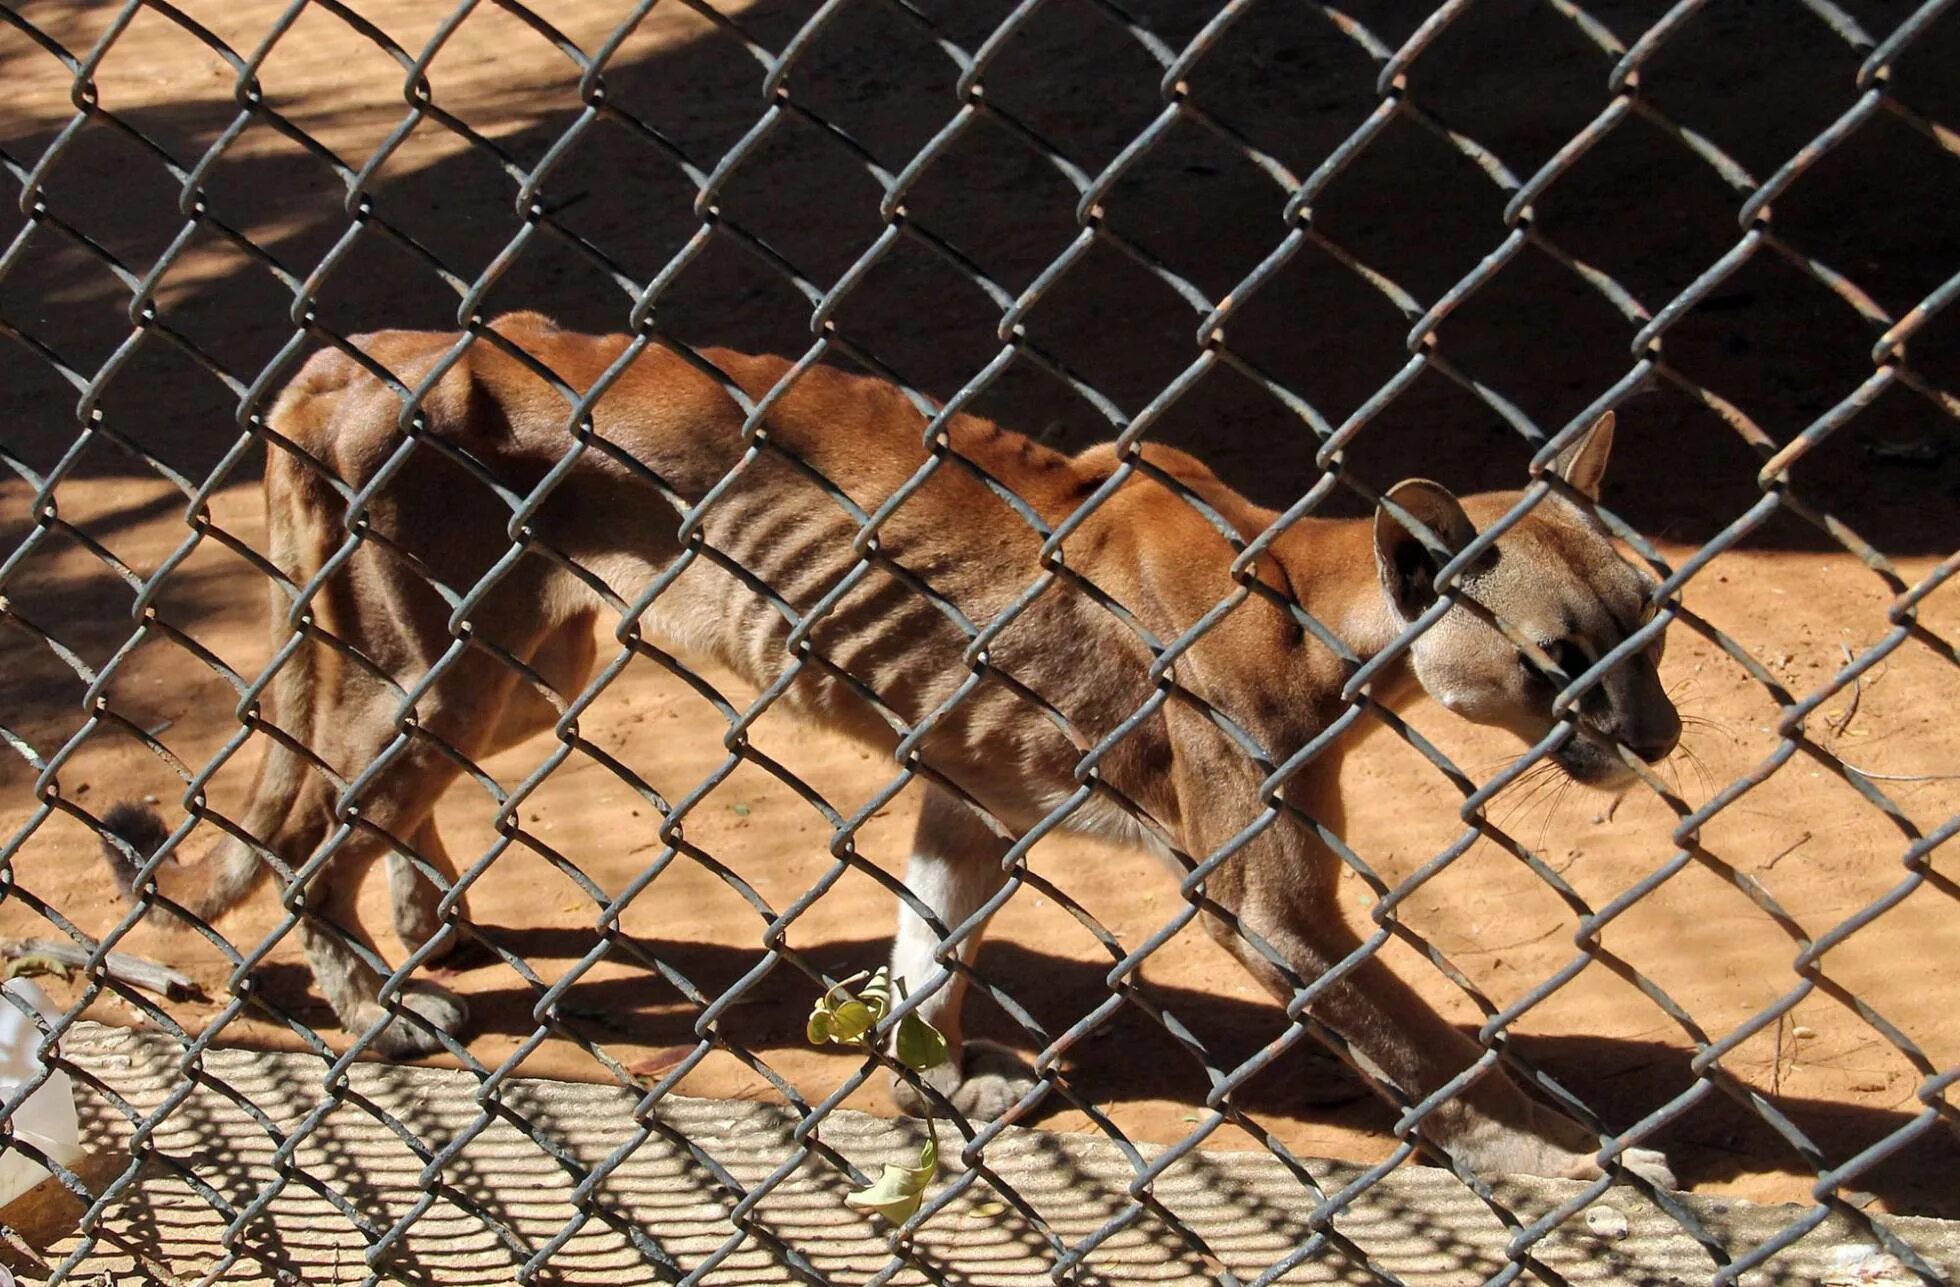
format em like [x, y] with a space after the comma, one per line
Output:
[1263, 1217]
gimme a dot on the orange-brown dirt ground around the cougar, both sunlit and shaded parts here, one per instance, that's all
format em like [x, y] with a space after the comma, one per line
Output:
[1773, 342]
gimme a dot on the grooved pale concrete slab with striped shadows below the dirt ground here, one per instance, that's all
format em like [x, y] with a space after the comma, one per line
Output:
[687, 1198]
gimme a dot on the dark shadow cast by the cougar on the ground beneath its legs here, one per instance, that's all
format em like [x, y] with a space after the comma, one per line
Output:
[1132, 1057]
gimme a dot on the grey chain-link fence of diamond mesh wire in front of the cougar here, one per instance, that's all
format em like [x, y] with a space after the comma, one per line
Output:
[1393, 50]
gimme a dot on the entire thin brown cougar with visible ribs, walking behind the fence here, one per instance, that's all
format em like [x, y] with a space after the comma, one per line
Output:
[1146, 549]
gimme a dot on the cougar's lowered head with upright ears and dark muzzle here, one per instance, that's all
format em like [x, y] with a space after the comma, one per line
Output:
[1557, 579]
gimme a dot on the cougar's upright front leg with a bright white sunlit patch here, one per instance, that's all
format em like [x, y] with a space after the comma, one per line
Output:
[955, 871]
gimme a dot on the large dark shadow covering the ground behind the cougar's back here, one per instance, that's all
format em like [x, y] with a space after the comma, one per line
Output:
[1769, 342]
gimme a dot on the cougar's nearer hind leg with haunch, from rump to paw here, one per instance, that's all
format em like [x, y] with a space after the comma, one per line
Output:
[383, 620]
